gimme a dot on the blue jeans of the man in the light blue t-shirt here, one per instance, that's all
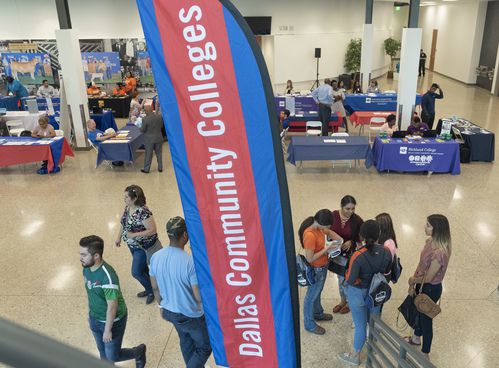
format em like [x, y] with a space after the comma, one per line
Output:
[194, 339]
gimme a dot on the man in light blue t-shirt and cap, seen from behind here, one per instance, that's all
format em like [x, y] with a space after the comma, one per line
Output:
[175, 287]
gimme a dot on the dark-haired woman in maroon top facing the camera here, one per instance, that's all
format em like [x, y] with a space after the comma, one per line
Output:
[346, 223]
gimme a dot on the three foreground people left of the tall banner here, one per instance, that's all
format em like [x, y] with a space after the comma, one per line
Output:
[167, 275]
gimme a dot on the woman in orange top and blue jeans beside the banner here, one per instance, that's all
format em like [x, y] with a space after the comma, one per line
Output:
[313, 232]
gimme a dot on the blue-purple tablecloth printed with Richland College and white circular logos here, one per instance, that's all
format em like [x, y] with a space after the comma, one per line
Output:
[422, 155]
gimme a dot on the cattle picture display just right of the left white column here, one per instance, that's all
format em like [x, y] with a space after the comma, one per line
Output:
[101, 67]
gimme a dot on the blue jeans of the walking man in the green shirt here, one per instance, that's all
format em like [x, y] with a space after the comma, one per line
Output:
[111, 351]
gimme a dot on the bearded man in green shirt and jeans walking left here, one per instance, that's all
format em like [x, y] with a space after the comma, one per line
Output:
[107, 308]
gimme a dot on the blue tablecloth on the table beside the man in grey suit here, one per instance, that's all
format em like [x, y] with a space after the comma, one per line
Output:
[124, 150]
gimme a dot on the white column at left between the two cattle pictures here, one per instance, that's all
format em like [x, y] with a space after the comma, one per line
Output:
[74, 84]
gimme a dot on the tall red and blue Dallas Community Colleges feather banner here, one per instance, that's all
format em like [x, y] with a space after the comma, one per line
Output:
[222, 126]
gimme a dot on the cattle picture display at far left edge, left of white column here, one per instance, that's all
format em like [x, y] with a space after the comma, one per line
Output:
[27, 68]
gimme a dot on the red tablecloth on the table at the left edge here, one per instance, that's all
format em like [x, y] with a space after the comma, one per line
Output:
[15, 155]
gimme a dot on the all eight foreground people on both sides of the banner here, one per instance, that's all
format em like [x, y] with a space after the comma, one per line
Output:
[167, 276]
